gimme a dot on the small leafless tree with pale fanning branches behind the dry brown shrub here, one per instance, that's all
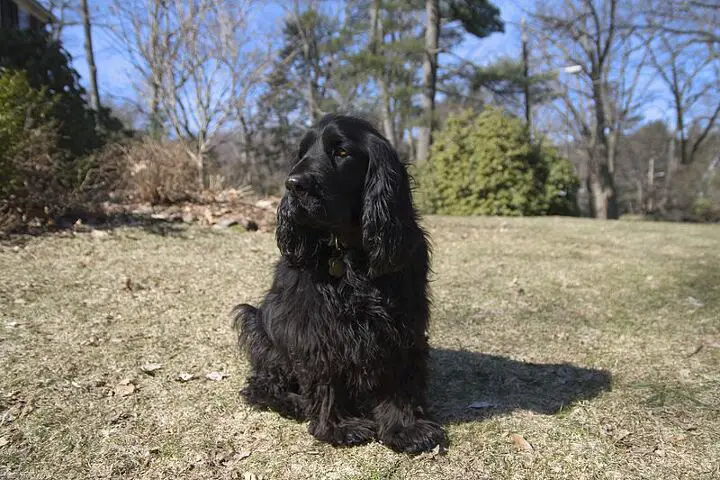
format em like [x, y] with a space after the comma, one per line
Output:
[197, 61]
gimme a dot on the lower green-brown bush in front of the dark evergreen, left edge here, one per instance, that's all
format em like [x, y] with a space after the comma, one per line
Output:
[39, 179]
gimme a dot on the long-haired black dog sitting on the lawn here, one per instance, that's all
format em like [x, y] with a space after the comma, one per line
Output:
[340, 338]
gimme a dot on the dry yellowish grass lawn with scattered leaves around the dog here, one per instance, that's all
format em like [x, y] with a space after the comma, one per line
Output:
[591, 349]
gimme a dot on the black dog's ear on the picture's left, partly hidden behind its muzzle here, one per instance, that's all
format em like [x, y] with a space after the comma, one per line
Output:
[297, 243]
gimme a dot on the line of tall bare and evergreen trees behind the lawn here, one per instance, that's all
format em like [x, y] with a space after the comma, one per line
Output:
[626, 90]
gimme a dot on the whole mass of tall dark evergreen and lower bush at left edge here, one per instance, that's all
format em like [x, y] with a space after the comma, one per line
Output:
[49, 136]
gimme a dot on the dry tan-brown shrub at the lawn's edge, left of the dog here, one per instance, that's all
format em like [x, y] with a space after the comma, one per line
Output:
[153, 171]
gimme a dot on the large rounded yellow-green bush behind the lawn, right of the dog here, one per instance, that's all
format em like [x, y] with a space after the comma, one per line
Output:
[486, 165]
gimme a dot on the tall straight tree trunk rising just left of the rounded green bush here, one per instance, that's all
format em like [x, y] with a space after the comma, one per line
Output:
[432, 33]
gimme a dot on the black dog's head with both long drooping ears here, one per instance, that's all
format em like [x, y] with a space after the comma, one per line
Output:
[347, 181]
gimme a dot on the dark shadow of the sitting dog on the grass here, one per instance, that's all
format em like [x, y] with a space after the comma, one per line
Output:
[467, 386]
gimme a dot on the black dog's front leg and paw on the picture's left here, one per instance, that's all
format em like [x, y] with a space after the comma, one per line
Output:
[329, 423]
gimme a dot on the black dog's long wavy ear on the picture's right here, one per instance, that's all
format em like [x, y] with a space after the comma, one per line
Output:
[389, 221]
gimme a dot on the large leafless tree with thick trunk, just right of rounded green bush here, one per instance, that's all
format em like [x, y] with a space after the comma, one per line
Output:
[604, 99]
